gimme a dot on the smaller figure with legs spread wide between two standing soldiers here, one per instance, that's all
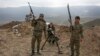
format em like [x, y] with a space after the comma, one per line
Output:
[52, 38]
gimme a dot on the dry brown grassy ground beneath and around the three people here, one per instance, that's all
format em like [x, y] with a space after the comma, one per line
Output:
[13, 45]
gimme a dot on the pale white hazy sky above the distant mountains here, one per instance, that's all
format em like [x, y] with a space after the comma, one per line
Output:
[48, 3]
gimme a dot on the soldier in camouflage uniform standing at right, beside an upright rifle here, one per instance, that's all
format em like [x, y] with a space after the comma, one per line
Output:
[76, 36]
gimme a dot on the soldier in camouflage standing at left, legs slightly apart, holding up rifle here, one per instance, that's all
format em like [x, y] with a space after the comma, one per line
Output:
[39, 26]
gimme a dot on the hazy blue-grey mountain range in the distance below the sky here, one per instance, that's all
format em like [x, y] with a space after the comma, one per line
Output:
[52, 14]
